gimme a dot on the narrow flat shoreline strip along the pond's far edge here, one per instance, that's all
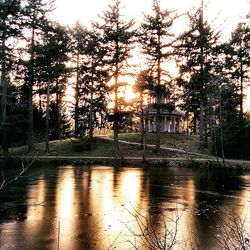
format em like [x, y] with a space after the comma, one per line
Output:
[150, 161]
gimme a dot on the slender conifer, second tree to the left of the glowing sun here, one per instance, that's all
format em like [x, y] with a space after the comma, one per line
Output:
[93, 88]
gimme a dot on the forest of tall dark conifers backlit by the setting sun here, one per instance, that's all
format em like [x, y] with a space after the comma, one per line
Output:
[40, 60]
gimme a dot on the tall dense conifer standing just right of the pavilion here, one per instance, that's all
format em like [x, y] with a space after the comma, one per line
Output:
[197, 59]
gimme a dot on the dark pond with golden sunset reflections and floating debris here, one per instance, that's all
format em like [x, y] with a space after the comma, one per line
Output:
[104, 207]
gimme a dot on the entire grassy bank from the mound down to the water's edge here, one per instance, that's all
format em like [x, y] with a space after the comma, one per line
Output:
[104, 151]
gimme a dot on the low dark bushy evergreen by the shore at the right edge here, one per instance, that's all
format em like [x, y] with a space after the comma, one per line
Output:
[232, 131]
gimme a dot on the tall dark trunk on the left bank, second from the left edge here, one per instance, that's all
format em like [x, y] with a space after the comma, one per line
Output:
[30, 132]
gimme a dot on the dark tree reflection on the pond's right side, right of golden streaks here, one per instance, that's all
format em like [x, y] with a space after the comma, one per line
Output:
[214, 190]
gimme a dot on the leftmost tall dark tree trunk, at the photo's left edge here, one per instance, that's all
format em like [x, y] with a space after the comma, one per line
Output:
[4, 86]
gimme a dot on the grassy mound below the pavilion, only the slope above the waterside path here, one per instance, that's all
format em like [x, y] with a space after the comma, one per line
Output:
[106, 148]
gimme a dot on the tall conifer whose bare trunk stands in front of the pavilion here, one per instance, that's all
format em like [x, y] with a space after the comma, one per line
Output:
[157, 42]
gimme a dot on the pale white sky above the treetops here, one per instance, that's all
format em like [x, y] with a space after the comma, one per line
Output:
[220, 13]
